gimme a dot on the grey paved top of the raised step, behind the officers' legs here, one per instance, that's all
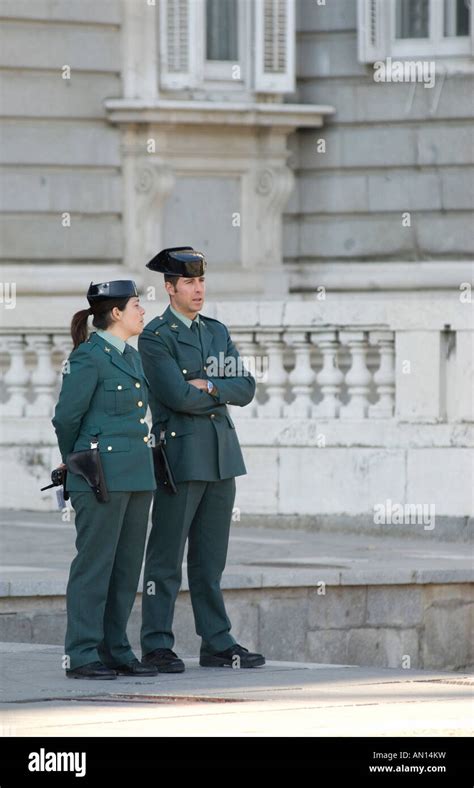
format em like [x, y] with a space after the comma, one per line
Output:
[37, 548]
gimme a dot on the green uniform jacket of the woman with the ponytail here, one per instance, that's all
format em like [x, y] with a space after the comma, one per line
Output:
[102, 395]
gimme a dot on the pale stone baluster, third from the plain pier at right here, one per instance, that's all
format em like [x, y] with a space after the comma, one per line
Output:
[330, 377]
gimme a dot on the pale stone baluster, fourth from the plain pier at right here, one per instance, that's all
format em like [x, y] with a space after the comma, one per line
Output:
[301, 377]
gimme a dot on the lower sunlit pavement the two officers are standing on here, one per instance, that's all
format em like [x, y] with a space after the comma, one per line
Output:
[279, 699]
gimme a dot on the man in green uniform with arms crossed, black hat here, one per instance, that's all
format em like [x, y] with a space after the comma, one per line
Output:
[194, 371]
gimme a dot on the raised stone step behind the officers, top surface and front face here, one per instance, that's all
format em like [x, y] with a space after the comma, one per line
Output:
[293, 594]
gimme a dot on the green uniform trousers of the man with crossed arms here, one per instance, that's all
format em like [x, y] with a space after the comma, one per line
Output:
[200, 512]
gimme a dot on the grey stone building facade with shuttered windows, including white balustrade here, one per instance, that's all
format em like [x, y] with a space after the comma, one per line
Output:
[320, 154]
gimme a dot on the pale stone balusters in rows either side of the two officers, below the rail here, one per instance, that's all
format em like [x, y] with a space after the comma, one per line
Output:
[335, 373]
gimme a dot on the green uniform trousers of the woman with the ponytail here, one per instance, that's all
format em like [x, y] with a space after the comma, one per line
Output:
[104, 575]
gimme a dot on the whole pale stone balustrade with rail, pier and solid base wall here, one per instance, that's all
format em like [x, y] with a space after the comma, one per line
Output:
[356, 403]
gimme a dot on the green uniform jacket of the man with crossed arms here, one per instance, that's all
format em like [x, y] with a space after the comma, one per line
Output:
[201, 441]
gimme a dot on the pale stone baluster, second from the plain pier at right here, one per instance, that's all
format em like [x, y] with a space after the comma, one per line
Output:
[358, 378]
